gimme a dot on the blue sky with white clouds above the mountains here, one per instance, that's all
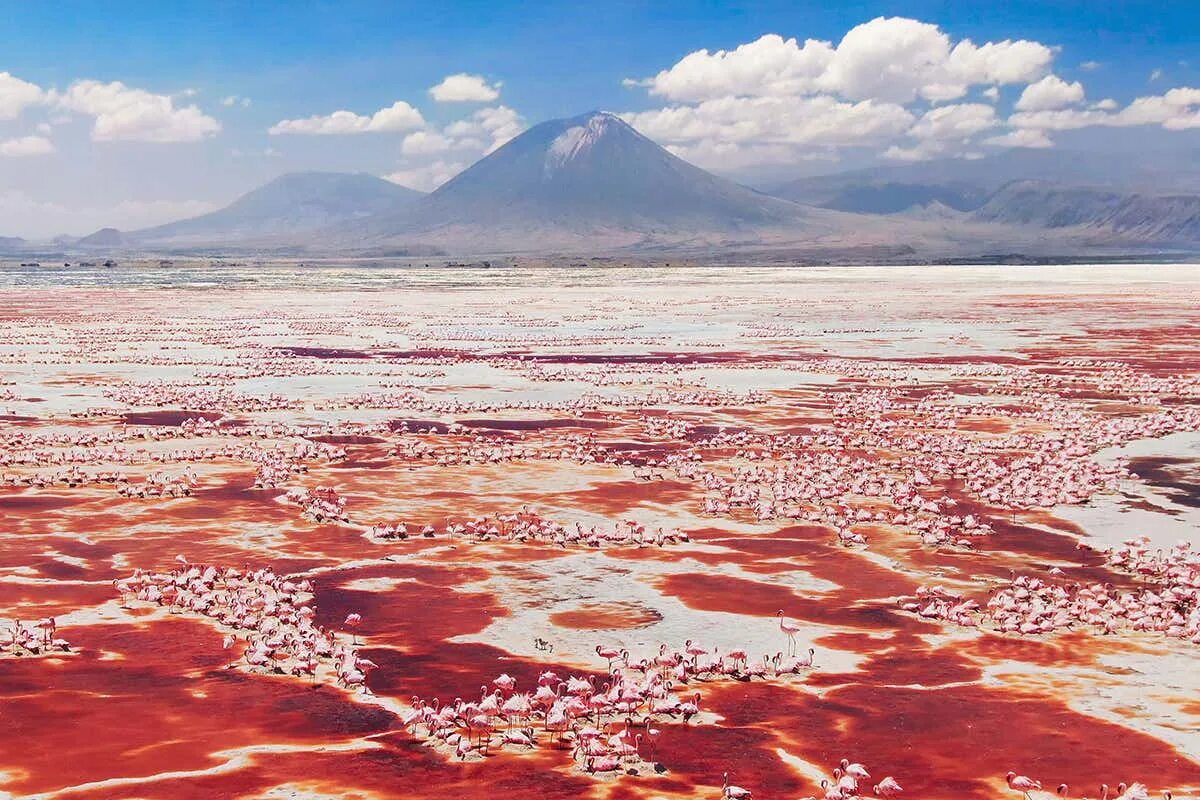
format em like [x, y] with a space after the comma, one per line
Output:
[110, 136]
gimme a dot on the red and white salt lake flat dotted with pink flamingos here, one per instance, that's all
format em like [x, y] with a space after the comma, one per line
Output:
[836, 533]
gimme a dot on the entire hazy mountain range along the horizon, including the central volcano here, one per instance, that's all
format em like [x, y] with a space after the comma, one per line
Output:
[592, 184]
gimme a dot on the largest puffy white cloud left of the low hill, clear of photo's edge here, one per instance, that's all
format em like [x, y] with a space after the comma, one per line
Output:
[123, 113]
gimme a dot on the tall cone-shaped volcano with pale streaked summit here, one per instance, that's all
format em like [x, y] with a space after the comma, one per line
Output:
[592, 178]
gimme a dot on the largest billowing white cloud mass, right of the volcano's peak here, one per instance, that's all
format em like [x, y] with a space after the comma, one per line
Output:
[885, 85]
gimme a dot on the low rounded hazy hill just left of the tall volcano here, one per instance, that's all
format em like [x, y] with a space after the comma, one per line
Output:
[292, 204]
